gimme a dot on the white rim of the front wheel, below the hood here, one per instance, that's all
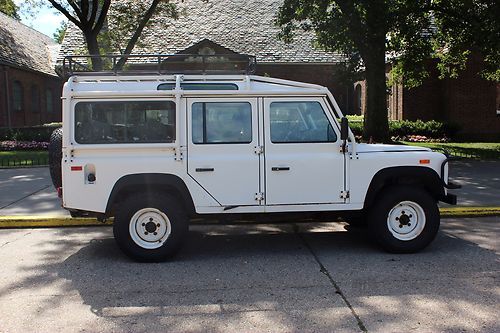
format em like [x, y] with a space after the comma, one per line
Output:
[406, 220]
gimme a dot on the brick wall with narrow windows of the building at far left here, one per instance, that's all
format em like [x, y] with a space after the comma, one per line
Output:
[29, 114]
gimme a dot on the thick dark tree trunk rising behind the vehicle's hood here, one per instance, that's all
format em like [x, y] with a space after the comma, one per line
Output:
[376, 124]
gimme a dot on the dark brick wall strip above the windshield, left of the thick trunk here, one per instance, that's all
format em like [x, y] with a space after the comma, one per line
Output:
[323, 75]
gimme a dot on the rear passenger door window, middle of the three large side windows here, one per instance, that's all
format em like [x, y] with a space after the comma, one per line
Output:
[215, 123]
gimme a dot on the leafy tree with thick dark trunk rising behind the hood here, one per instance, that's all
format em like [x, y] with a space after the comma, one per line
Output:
[409, 32]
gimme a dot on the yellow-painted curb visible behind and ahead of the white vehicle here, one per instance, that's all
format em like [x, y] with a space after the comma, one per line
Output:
[8, 222]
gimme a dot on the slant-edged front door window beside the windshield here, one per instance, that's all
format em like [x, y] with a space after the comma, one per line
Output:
[300, 122]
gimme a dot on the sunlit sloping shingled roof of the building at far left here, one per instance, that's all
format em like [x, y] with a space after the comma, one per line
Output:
[24, 47]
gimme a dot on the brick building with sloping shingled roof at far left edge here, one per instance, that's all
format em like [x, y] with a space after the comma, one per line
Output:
[30, 89]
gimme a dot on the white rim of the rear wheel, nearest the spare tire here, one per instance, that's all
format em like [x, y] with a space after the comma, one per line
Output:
[149, 228]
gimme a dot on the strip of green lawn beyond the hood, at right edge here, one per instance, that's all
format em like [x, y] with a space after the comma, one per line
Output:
[483, 150]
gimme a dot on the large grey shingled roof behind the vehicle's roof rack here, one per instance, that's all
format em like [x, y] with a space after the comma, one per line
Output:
[243, 26]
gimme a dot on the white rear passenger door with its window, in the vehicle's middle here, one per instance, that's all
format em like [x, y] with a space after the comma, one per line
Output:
[222, 136]
